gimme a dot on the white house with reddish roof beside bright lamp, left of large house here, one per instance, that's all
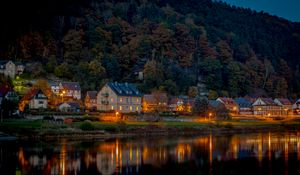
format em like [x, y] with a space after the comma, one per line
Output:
[70, 90]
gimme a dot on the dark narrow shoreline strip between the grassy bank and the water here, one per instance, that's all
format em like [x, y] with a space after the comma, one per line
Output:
[160, 132]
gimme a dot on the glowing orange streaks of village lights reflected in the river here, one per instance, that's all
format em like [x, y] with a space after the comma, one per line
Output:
[121, 156]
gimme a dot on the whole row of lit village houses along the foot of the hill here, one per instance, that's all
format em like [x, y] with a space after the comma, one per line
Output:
[116, 99]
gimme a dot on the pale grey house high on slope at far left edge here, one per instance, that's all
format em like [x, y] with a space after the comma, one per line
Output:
[10, 69]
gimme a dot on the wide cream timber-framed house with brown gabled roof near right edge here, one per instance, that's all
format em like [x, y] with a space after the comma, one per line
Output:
[266, 107]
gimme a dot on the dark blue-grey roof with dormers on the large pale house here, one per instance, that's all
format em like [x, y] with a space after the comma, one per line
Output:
[124, 89]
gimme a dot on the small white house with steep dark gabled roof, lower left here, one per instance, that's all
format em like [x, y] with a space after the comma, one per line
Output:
[38, 100]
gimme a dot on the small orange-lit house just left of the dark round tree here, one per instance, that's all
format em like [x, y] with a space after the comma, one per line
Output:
[181, 104]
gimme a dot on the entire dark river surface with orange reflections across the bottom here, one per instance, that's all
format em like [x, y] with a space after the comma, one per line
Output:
[265, 153]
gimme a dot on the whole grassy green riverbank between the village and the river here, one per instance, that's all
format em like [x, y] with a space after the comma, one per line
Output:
[39, 129]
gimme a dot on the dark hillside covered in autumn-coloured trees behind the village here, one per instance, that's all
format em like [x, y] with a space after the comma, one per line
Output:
[237, 51]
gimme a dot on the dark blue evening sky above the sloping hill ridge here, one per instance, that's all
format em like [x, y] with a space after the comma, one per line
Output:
[289, 9]
